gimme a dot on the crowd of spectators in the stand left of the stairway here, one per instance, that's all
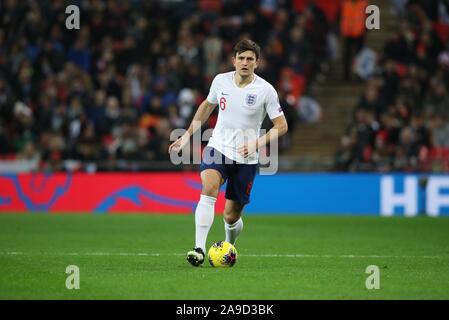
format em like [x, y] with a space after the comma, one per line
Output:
[113, 91]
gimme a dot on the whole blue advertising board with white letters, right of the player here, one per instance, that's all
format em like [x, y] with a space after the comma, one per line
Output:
[349, 194]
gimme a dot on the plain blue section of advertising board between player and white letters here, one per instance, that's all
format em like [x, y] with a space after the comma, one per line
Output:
[315, 193]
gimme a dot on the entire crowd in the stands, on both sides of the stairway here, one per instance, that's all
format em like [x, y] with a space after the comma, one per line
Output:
[106, 97]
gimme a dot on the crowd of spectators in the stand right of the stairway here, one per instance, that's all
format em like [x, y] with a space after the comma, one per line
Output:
[401, 120]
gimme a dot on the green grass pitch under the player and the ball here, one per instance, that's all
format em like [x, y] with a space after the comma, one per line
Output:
[280, 257]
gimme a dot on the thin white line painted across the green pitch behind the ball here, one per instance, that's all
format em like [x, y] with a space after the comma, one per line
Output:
[350, 256]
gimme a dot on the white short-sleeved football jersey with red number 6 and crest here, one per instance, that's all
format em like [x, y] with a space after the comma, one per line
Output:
[241, 113]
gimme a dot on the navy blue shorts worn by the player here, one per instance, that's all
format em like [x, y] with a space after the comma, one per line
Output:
[239, 176]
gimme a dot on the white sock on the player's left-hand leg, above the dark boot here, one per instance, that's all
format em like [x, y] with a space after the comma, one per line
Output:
[204, 217]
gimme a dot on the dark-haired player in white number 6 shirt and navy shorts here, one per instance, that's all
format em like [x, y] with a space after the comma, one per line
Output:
[244, 99]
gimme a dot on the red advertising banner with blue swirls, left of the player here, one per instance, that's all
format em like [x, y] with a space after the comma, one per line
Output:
[102, 192]
